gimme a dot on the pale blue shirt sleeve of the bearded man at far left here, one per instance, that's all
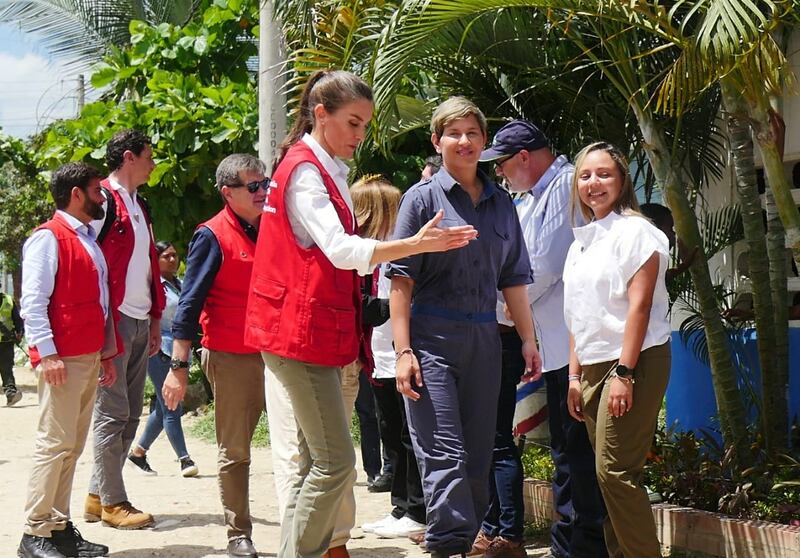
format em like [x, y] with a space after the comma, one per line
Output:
[39, 267]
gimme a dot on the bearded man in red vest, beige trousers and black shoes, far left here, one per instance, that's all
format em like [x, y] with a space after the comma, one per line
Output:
[69, 325]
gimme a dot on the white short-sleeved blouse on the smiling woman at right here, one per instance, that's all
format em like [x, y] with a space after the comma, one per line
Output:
[605, 256]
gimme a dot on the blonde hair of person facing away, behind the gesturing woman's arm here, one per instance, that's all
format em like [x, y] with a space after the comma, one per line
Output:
[375, 203]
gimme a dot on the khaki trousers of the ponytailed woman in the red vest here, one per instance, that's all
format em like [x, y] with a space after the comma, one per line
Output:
[326, 459]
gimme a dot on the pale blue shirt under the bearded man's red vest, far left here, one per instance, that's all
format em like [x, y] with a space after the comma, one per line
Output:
[40, 264]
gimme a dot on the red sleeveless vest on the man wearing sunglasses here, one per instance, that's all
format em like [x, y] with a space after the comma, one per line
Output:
[222, 318]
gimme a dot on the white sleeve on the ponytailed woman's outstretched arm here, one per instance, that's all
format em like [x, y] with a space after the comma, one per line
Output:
[310, 209]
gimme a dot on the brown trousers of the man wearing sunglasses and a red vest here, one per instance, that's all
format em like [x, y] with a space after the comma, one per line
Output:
[237, 381]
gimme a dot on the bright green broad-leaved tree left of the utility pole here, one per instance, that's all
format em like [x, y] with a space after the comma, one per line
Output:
[188, 87]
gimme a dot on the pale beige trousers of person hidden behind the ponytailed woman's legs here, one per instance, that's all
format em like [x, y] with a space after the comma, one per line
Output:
[285, 446]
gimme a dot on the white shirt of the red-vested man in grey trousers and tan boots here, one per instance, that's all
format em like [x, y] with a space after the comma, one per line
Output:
[138, 299]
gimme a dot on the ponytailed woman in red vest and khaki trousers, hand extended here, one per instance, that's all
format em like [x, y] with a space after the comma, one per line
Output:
[304, 308]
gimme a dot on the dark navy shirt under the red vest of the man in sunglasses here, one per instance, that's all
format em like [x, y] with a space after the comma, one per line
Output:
[202, 264]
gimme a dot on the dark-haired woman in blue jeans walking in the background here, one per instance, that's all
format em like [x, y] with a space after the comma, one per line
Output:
[161, 418]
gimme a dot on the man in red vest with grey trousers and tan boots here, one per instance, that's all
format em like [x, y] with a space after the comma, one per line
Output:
[137, 299]
